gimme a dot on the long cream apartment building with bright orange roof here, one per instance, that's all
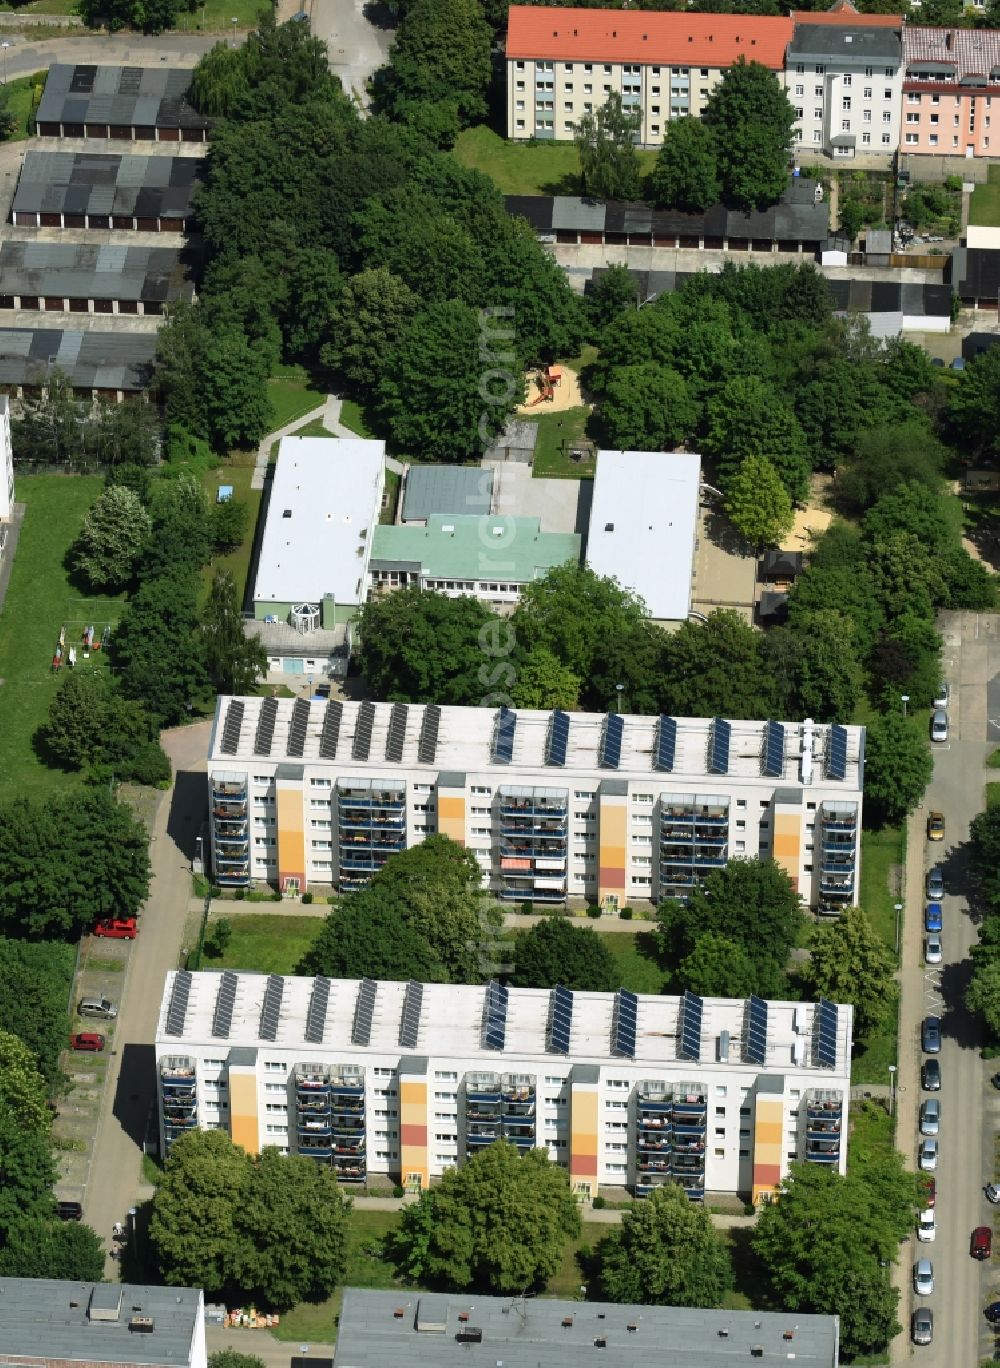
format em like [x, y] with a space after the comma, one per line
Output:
[564, 64]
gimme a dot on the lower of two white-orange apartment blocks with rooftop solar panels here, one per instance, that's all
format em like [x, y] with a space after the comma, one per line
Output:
[410, 1080]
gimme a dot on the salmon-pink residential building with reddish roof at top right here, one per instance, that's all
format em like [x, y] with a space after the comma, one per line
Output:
[951, 92]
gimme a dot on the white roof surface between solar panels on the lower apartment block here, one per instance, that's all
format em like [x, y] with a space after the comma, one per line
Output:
[452, 1020]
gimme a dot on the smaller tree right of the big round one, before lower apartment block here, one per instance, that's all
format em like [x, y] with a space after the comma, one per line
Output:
[667, 1254]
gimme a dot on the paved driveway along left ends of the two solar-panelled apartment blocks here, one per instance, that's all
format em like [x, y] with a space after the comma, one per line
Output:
[129, 1101]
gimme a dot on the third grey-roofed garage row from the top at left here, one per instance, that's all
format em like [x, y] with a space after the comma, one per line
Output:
[77, 272]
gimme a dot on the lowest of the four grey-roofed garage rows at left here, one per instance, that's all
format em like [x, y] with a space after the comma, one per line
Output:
[92, 360]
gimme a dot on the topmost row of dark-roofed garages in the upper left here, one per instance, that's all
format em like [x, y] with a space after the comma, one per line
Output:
[146, 96]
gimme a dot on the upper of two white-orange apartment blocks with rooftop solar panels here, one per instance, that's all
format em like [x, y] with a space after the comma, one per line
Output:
[611, 809]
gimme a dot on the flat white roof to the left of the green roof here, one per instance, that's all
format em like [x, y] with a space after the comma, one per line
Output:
[325, 501]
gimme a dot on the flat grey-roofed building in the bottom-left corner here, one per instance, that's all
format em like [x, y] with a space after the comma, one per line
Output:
[88, 1324]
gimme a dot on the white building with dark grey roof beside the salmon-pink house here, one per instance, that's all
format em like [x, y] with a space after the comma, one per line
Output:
[846, 85]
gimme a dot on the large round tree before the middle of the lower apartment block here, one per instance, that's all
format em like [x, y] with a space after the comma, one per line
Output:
[500, 1224]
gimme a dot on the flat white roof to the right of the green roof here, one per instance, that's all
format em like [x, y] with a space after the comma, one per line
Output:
[644, 526]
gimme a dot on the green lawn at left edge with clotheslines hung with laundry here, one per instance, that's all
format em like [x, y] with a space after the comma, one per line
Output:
[40, 601]
